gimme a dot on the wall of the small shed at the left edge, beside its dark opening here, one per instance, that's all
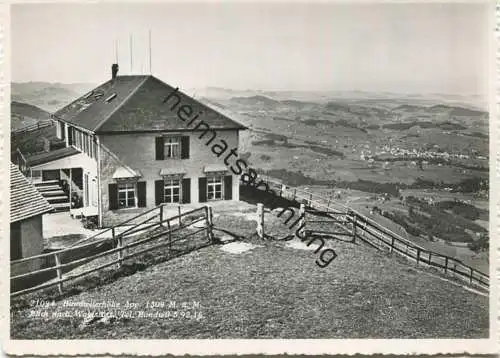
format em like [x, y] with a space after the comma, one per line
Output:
[31, 236]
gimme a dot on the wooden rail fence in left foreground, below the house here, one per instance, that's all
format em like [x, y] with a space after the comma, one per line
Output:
[59, 266]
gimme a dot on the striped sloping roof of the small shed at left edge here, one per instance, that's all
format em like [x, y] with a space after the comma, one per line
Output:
[25, 200]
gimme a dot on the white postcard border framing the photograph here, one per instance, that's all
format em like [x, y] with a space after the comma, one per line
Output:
[257, 346]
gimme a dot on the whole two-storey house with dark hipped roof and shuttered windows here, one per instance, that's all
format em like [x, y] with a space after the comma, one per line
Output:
[136, 150]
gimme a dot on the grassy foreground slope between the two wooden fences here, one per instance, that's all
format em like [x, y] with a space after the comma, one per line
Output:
[275, 291]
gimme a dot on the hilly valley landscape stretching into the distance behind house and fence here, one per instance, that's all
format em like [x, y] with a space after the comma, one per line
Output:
[379, 153]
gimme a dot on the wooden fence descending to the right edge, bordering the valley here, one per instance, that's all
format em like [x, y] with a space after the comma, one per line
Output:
[358, 226]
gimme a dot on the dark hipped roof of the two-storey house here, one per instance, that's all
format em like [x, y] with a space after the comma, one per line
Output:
[135, 103]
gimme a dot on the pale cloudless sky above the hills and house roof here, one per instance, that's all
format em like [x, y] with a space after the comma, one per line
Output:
[405, 47]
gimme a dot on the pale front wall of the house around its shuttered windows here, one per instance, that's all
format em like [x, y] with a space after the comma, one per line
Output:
[137, 151]
